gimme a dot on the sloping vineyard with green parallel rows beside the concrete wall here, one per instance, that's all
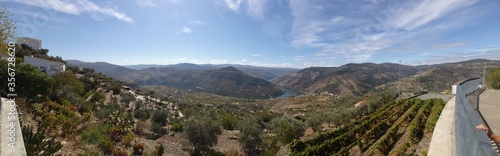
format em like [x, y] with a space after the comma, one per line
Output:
[394, 129]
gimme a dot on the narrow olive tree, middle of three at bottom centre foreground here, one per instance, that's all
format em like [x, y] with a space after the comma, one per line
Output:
[250, 134]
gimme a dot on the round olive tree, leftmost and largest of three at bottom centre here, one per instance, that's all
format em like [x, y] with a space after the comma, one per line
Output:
[202, 131]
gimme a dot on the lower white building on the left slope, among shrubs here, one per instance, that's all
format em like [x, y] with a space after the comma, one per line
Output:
[46, 66]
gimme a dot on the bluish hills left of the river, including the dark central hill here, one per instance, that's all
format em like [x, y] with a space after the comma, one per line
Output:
[250, 81]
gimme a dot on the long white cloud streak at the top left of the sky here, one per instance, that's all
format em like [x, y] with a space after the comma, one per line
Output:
[76, 7]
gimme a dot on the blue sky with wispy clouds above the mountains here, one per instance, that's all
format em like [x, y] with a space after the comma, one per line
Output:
[278, 33]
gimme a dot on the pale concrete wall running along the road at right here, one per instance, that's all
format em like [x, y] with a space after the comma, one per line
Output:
[455, 132]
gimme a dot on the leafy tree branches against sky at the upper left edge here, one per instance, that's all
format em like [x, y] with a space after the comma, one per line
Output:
[7, 31]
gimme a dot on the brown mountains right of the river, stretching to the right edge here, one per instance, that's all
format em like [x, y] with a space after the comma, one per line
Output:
[359, 79]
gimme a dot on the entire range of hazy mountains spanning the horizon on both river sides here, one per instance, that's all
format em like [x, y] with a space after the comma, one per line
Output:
[242, 80]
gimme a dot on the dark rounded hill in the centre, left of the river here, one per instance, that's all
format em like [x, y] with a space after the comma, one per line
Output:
[225, 81]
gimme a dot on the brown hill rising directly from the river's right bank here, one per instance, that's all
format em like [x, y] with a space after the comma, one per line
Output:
[349, 79]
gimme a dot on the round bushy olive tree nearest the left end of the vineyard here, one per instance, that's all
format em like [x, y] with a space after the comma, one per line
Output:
[287, 128]
